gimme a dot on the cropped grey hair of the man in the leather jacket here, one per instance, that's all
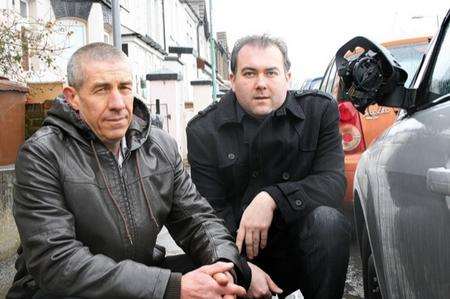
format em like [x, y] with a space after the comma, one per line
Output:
[91, 52]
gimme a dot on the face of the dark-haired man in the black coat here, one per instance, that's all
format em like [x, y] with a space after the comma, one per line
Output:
[260, 82]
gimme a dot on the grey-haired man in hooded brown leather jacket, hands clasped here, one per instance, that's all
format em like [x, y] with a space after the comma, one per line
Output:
[94, 187]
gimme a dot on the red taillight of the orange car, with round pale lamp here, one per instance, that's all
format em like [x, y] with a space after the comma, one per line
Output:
[350, 127]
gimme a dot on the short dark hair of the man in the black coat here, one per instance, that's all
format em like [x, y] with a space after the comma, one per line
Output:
[262, 41]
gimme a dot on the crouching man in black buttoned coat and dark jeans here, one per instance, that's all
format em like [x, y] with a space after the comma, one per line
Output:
[271, 163]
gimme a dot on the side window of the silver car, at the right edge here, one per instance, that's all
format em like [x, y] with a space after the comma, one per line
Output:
[439, 83]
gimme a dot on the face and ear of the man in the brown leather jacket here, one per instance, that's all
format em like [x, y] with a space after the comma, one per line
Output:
[105, 100]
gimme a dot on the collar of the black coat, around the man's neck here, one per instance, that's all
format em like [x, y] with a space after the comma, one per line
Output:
[227, 112]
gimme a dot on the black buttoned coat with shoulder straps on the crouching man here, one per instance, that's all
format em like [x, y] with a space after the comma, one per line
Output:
[296, 156]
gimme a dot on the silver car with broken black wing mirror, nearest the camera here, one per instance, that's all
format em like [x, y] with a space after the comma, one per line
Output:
[402, 181]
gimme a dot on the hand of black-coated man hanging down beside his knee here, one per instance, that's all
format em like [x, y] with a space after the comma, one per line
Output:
[255, 223]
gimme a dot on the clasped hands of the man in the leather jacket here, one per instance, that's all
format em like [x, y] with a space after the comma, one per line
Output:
[201, 283]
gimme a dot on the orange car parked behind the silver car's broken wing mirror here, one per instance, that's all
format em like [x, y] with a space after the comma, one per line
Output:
[360, 130]
